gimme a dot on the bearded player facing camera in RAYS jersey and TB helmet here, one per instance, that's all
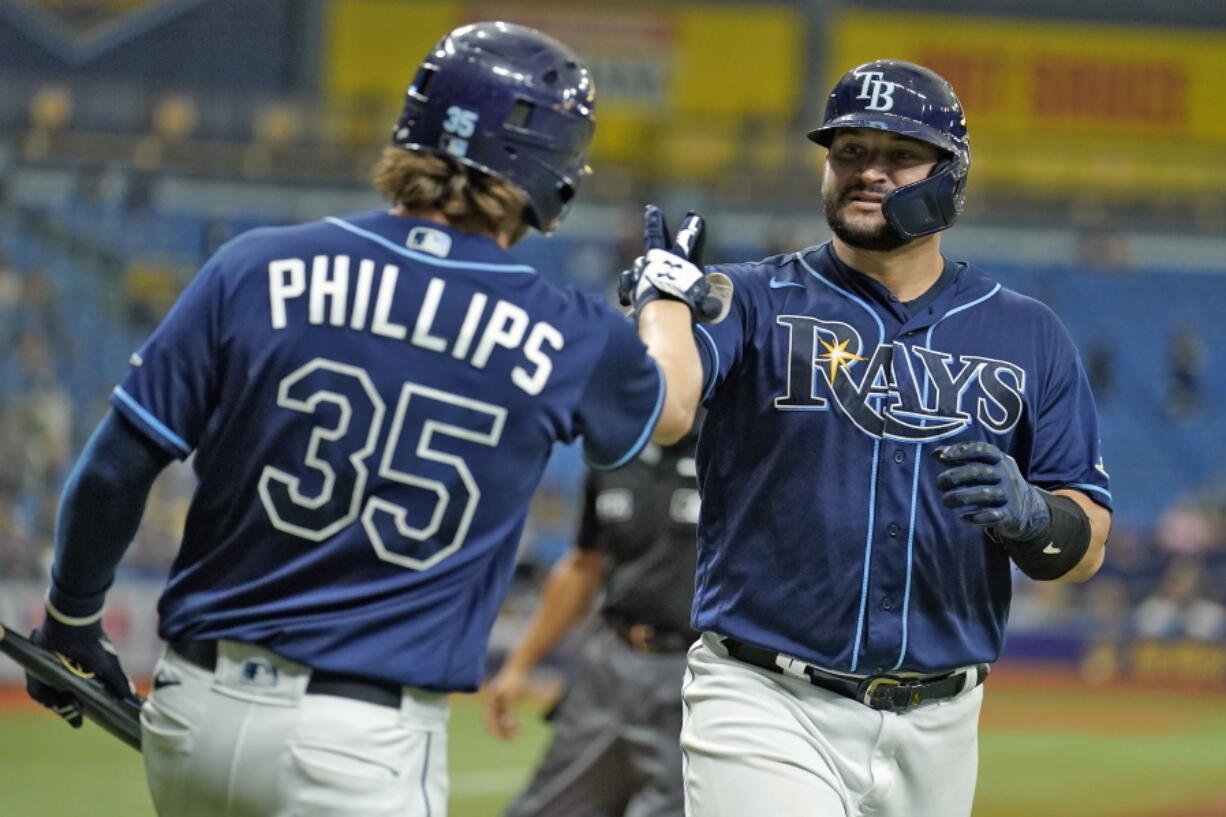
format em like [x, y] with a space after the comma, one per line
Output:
[889, 435]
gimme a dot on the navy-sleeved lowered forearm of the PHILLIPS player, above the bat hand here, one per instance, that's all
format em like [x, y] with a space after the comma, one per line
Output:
[100, 513]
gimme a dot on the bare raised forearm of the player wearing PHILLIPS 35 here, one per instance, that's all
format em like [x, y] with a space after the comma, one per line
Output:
[668, 331]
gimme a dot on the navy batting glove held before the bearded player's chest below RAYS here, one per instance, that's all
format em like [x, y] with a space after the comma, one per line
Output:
[988, 490]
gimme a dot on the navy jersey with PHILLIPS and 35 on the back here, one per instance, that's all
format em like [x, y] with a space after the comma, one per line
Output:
[372, 402]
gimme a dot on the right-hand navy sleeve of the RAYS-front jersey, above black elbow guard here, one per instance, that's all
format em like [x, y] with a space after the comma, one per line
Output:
[1067, 450]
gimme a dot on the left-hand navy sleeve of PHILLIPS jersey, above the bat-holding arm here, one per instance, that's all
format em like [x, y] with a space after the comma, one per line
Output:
[170, 391]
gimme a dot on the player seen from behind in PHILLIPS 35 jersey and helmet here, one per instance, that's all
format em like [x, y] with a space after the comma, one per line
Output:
[371, 402]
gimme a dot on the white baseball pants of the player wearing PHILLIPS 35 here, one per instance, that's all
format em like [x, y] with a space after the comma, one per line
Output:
[248, 742]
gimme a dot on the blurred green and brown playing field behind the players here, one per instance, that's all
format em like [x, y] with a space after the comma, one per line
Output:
[1045, 753]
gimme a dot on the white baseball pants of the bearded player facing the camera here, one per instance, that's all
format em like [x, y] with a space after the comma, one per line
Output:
[757, 743]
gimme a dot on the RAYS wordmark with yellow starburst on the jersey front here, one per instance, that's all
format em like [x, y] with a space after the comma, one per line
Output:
[897, 392]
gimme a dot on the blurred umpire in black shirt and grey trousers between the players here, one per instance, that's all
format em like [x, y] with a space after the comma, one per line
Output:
[616, 744]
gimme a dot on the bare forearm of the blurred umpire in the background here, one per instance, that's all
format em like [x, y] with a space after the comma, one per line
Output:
[566, 598]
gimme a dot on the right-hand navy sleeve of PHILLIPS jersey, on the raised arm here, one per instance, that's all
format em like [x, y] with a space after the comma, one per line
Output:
[623, 397]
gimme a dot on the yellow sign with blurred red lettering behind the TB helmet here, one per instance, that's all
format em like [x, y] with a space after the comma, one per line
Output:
[1066, 106]
